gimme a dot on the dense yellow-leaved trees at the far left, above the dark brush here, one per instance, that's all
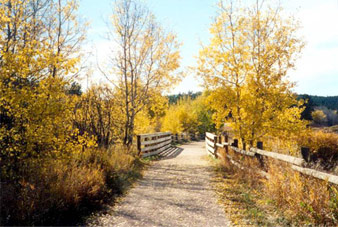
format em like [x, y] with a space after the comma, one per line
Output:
[35, 111]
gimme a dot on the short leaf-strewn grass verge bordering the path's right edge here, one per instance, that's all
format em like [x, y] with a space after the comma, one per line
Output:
[243, 202]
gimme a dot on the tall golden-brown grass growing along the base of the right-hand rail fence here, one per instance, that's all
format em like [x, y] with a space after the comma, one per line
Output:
[303, 200]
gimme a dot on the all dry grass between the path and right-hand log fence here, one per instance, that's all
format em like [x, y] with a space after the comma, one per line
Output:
[289, 196]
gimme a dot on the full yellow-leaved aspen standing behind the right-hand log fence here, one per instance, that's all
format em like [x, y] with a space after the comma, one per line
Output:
[246, 65]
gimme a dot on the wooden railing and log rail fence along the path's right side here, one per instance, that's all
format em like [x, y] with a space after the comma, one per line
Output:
[214, 144]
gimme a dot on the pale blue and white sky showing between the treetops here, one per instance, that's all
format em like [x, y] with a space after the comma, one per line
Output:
[316, 71]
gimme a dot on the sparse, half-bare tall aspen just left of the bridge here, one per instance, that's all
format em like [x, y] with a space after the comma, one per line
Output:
[144, 60]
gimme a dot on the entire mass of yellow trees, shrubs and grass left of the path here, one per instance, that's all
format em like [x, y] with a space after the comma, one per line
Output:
[65, 151]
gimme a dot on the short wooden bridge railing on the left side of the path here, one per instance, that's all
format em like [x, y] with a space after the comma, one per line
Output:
[153, 143]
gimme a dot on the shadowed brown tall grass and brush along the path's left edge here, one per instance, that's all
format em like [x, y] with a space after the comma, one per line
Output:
[57, 191]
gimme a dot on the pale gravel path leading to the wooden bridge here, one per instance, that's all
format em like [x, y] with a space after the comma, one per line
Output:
[175, 191]
